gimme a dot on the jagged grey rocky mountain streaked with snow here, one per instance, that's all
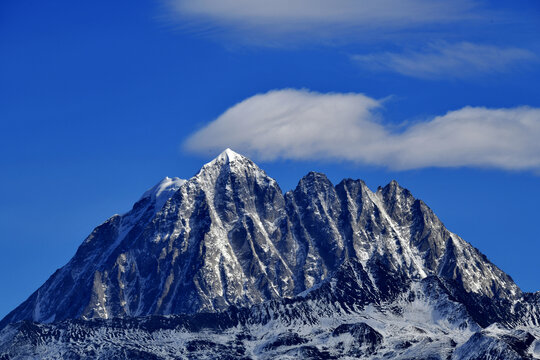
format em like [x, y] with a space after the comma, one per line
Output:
[228, 238]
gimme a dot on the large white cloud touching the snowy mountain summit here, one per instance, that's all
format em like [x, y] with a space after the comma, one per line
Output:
[305, 125]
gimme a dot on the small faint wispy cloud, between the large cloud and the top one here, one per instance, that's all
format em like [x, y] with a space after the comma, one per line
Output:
[448, 60]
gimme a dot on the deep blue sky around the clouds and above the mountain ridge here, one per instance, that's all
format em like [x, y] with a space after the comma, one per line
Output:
[97, 98]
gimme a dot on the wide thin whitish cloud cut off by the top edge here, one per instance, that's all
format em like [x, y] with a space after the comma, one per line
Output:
[251, 19]
